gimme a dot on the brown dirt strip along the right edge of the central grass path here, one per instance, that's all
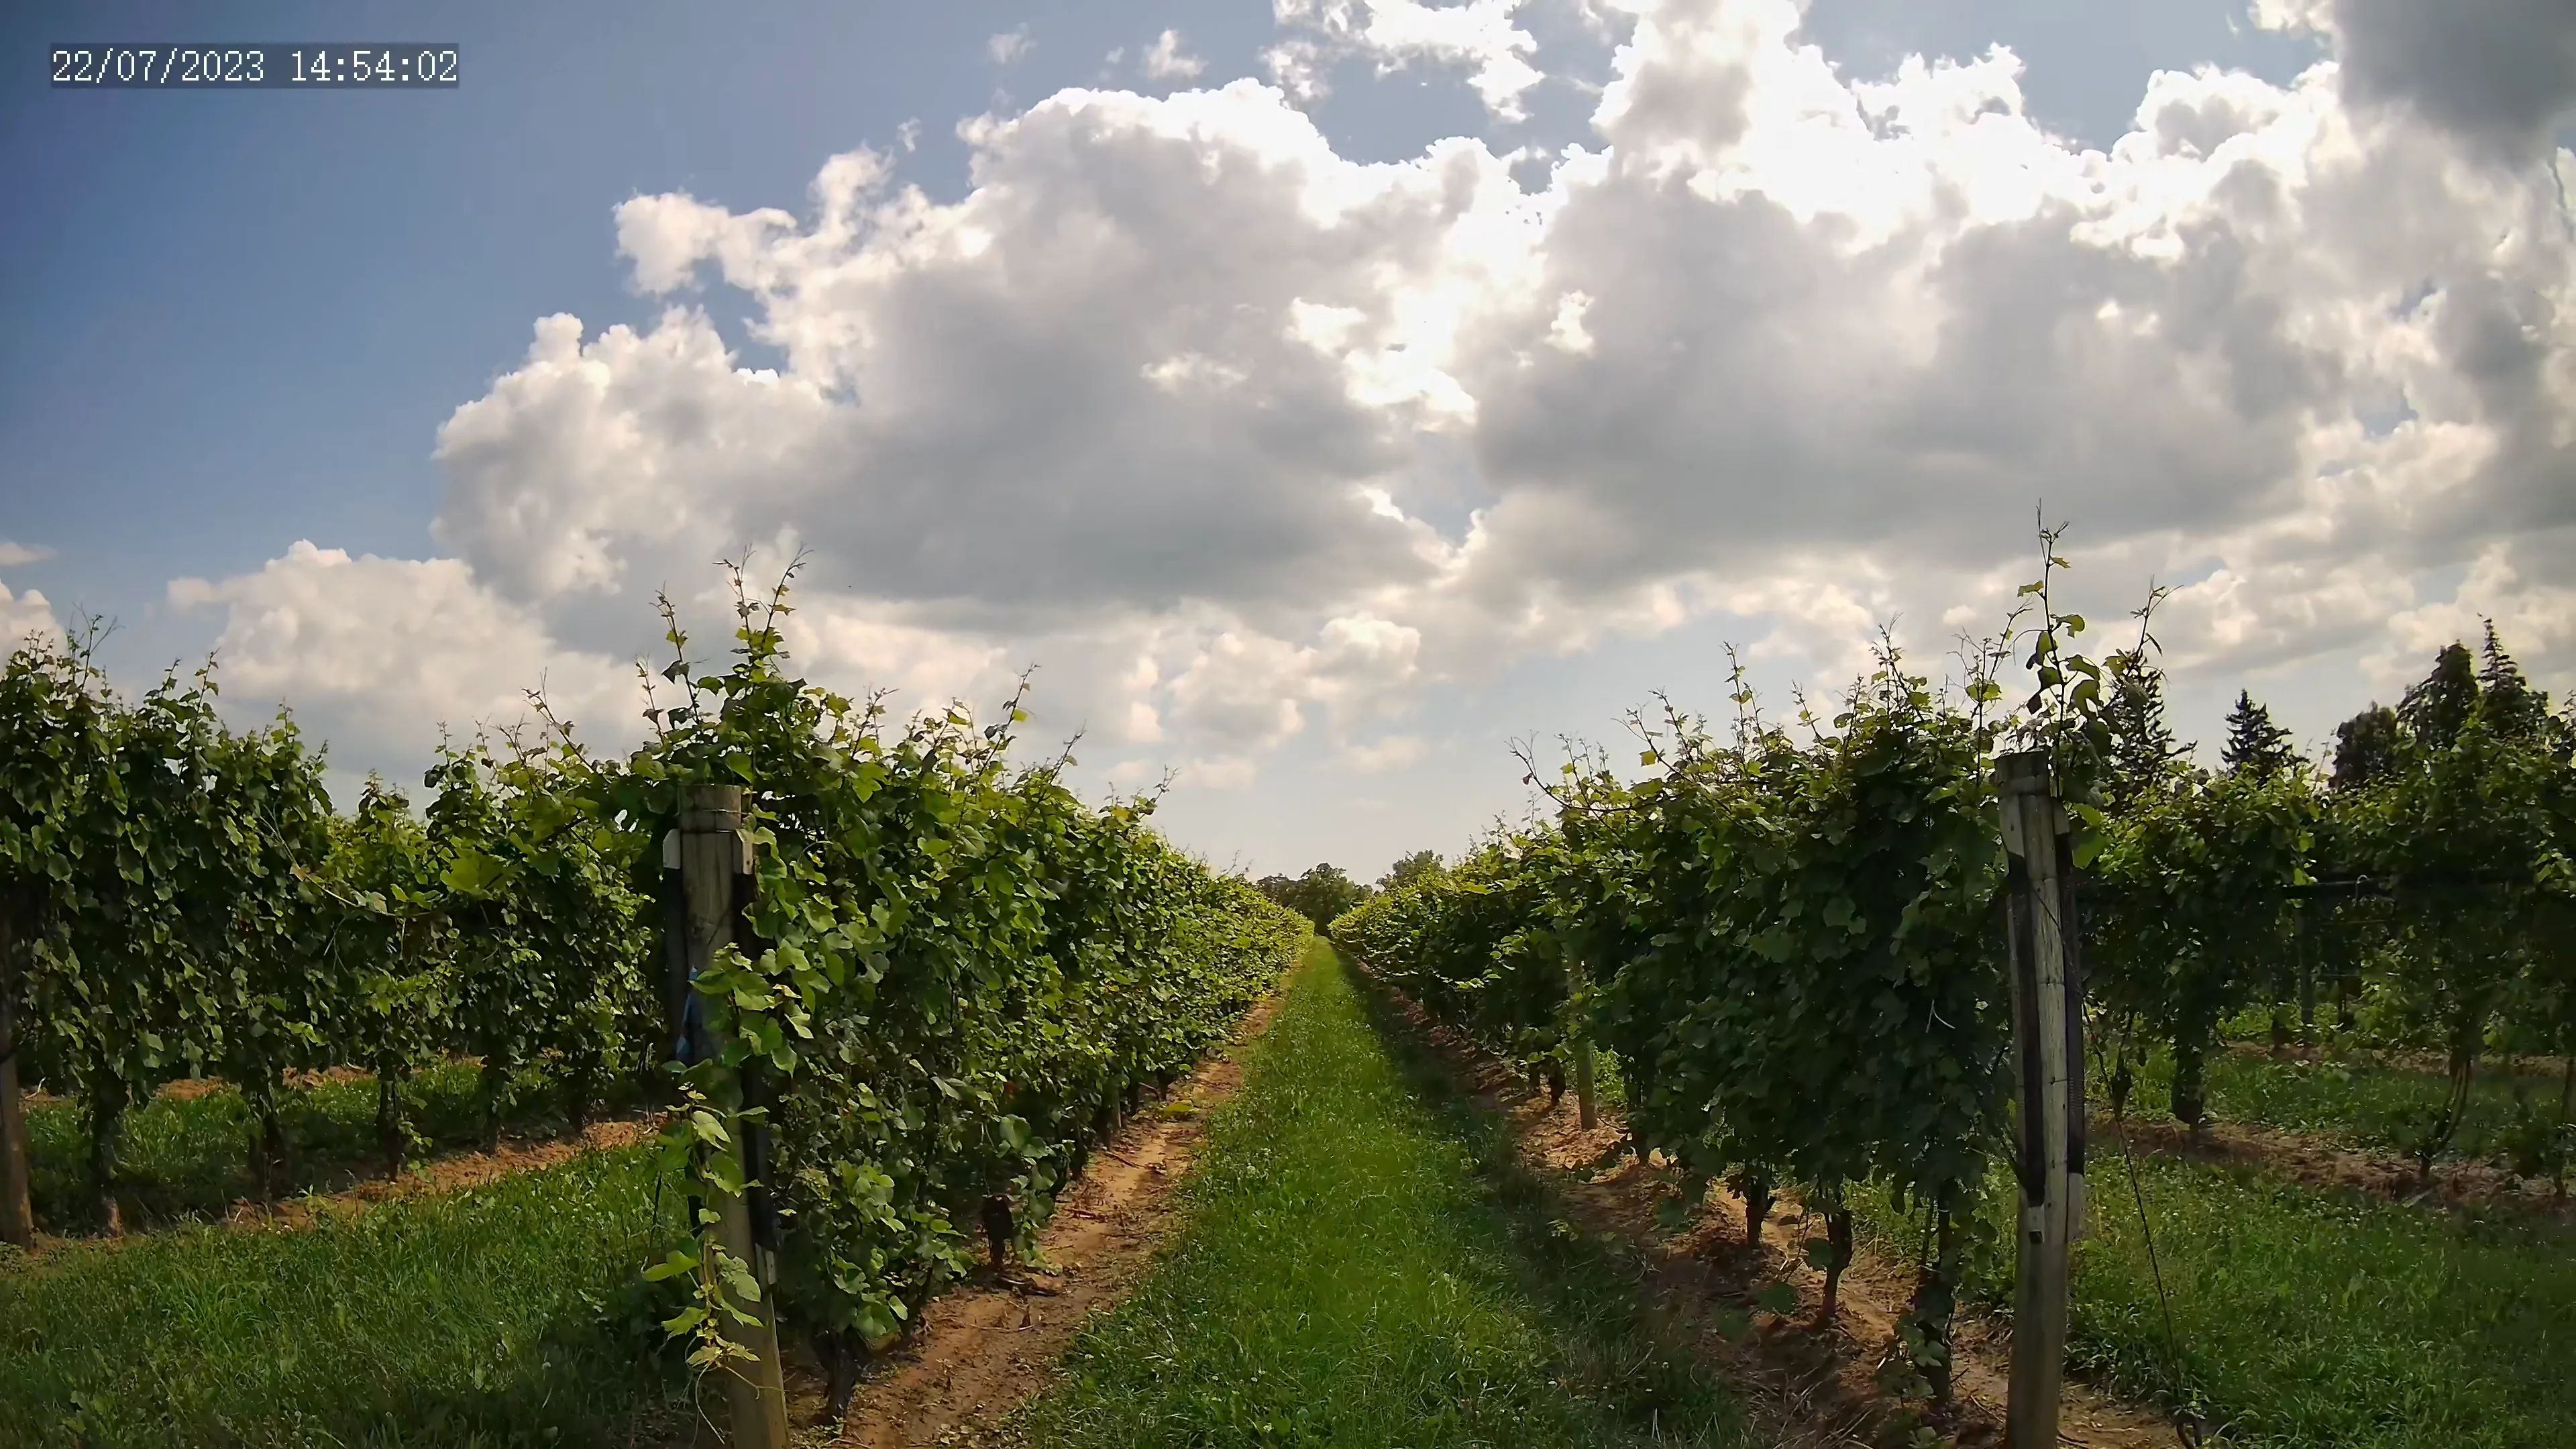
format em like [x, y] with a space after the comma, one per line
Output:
[1815, 1386]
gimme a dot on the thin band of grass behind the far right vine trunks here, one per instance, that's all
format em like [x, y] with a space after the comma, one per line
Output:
[2348, 1100]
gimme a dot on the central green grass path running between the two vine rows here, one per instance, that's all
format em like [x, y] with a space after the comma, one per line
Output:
[1367, 1265]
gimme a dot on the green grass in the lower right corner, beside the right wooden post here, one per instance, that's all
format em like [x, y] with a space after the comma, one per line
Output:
[2315, 1319]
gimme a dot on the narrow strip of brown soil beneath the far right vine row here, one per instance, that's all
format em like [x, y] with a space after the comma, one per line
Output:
[2320, 1164]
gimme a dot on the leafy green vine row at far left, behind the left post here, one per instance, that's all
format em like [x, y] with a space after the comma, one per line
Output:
[182, 901]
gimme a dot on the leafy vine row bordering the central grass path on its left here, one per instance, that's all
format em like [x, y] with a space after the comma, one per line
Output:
[957, 981]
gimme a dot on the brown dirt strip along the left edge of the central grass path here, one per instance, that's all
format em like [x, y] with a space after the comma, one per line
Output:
[993, 1345]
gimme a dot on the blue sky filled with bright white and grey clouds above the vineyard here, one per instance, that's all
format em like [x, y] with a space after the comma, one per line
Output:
[243, 321]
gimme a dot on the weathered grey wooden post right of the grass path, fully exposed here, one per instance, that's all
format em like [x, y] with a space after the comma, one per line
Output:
[2049, 1038]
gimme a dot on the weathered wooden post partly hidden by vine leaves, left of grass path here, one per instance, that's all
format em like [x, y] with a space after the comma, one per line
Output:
[712, 855]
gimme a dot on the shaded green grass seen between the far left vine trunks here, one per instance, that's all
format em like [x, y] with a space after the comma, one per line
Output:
[189, 1156]
